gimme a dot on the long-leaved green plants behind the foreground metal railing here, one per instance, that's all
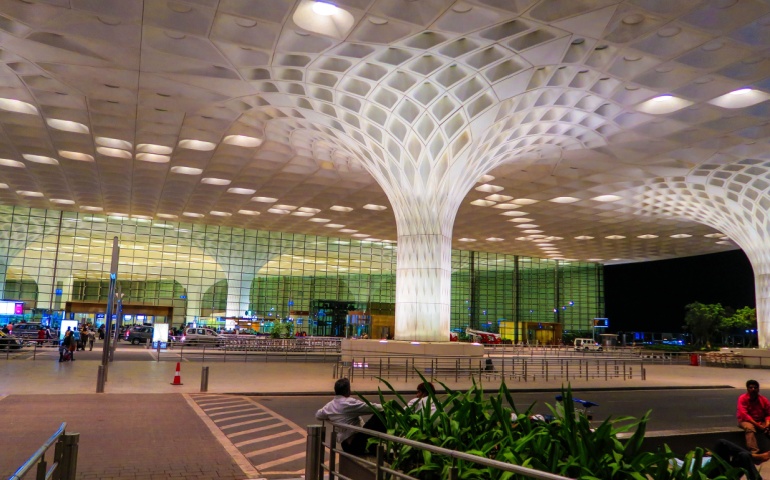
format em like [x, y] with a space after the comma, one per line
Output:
[568, 446]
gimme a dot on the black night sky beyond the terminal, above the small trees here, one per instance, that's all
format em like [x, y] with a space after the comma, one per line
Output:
[651, 296]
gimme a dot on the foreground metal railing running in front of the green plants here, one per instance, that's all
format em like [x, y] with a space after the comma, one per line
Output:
[315, 464]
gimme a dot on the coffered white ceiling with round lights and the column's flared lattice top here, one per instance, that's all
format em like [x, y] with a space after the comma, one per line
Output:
[552, 115]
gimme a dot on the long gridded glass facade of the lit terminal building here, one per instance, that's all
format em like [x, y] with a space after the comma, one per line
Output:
[58, 263]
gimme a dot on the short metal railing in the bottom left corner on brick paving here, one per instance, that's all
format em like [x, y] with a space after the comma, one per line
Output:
[65, 458]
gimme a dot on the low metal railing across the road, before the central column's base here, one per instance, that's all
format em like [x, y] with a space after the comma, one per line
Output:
[523, 369]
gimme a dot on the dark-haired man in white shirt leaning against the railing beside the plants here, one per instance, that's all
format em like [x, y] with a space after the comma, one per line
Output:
[347, 410]
